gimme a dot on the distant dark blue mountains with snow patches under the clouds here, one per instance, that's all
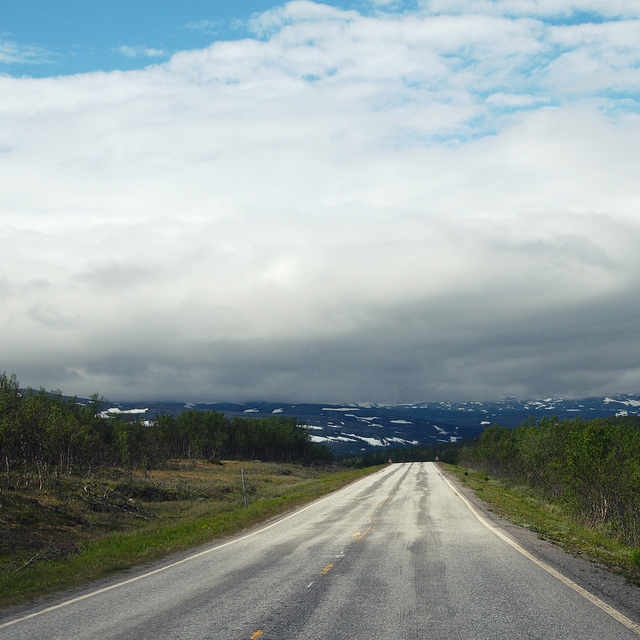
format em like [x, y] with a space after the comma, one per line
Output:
[351, 429]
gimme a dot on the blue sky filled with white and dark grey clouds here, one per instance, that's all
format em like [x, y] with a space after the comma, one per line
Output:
[374, 201]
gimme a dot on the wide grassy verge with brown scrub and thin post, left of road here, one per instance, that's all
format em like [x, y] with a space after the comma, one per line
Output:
[82, 529]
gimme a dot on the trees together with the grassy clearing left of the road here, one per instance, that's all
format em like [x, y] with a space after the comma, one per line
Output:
[82, 496]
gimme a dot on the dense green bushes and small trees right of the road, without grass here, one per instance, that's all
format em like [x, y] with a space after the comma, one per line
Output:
[593, 466]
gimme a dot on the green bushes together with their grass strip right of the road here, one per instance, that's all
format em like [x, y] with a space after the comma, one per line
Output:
[574, 482]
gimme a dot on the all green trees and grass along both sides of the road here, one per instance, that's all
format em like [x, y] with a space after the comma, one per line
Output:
[82, 496]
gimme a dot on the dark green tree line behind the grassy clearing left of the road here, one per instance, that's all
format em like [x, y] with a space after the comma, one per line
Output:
[44, 435]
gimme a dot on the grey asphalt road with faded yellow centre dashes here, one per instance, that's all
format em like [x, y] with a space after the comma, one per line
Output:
[399, 554]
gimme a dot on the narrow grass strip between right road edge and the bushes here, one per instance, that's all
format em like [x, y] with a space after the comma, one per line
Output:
[522, 506]
